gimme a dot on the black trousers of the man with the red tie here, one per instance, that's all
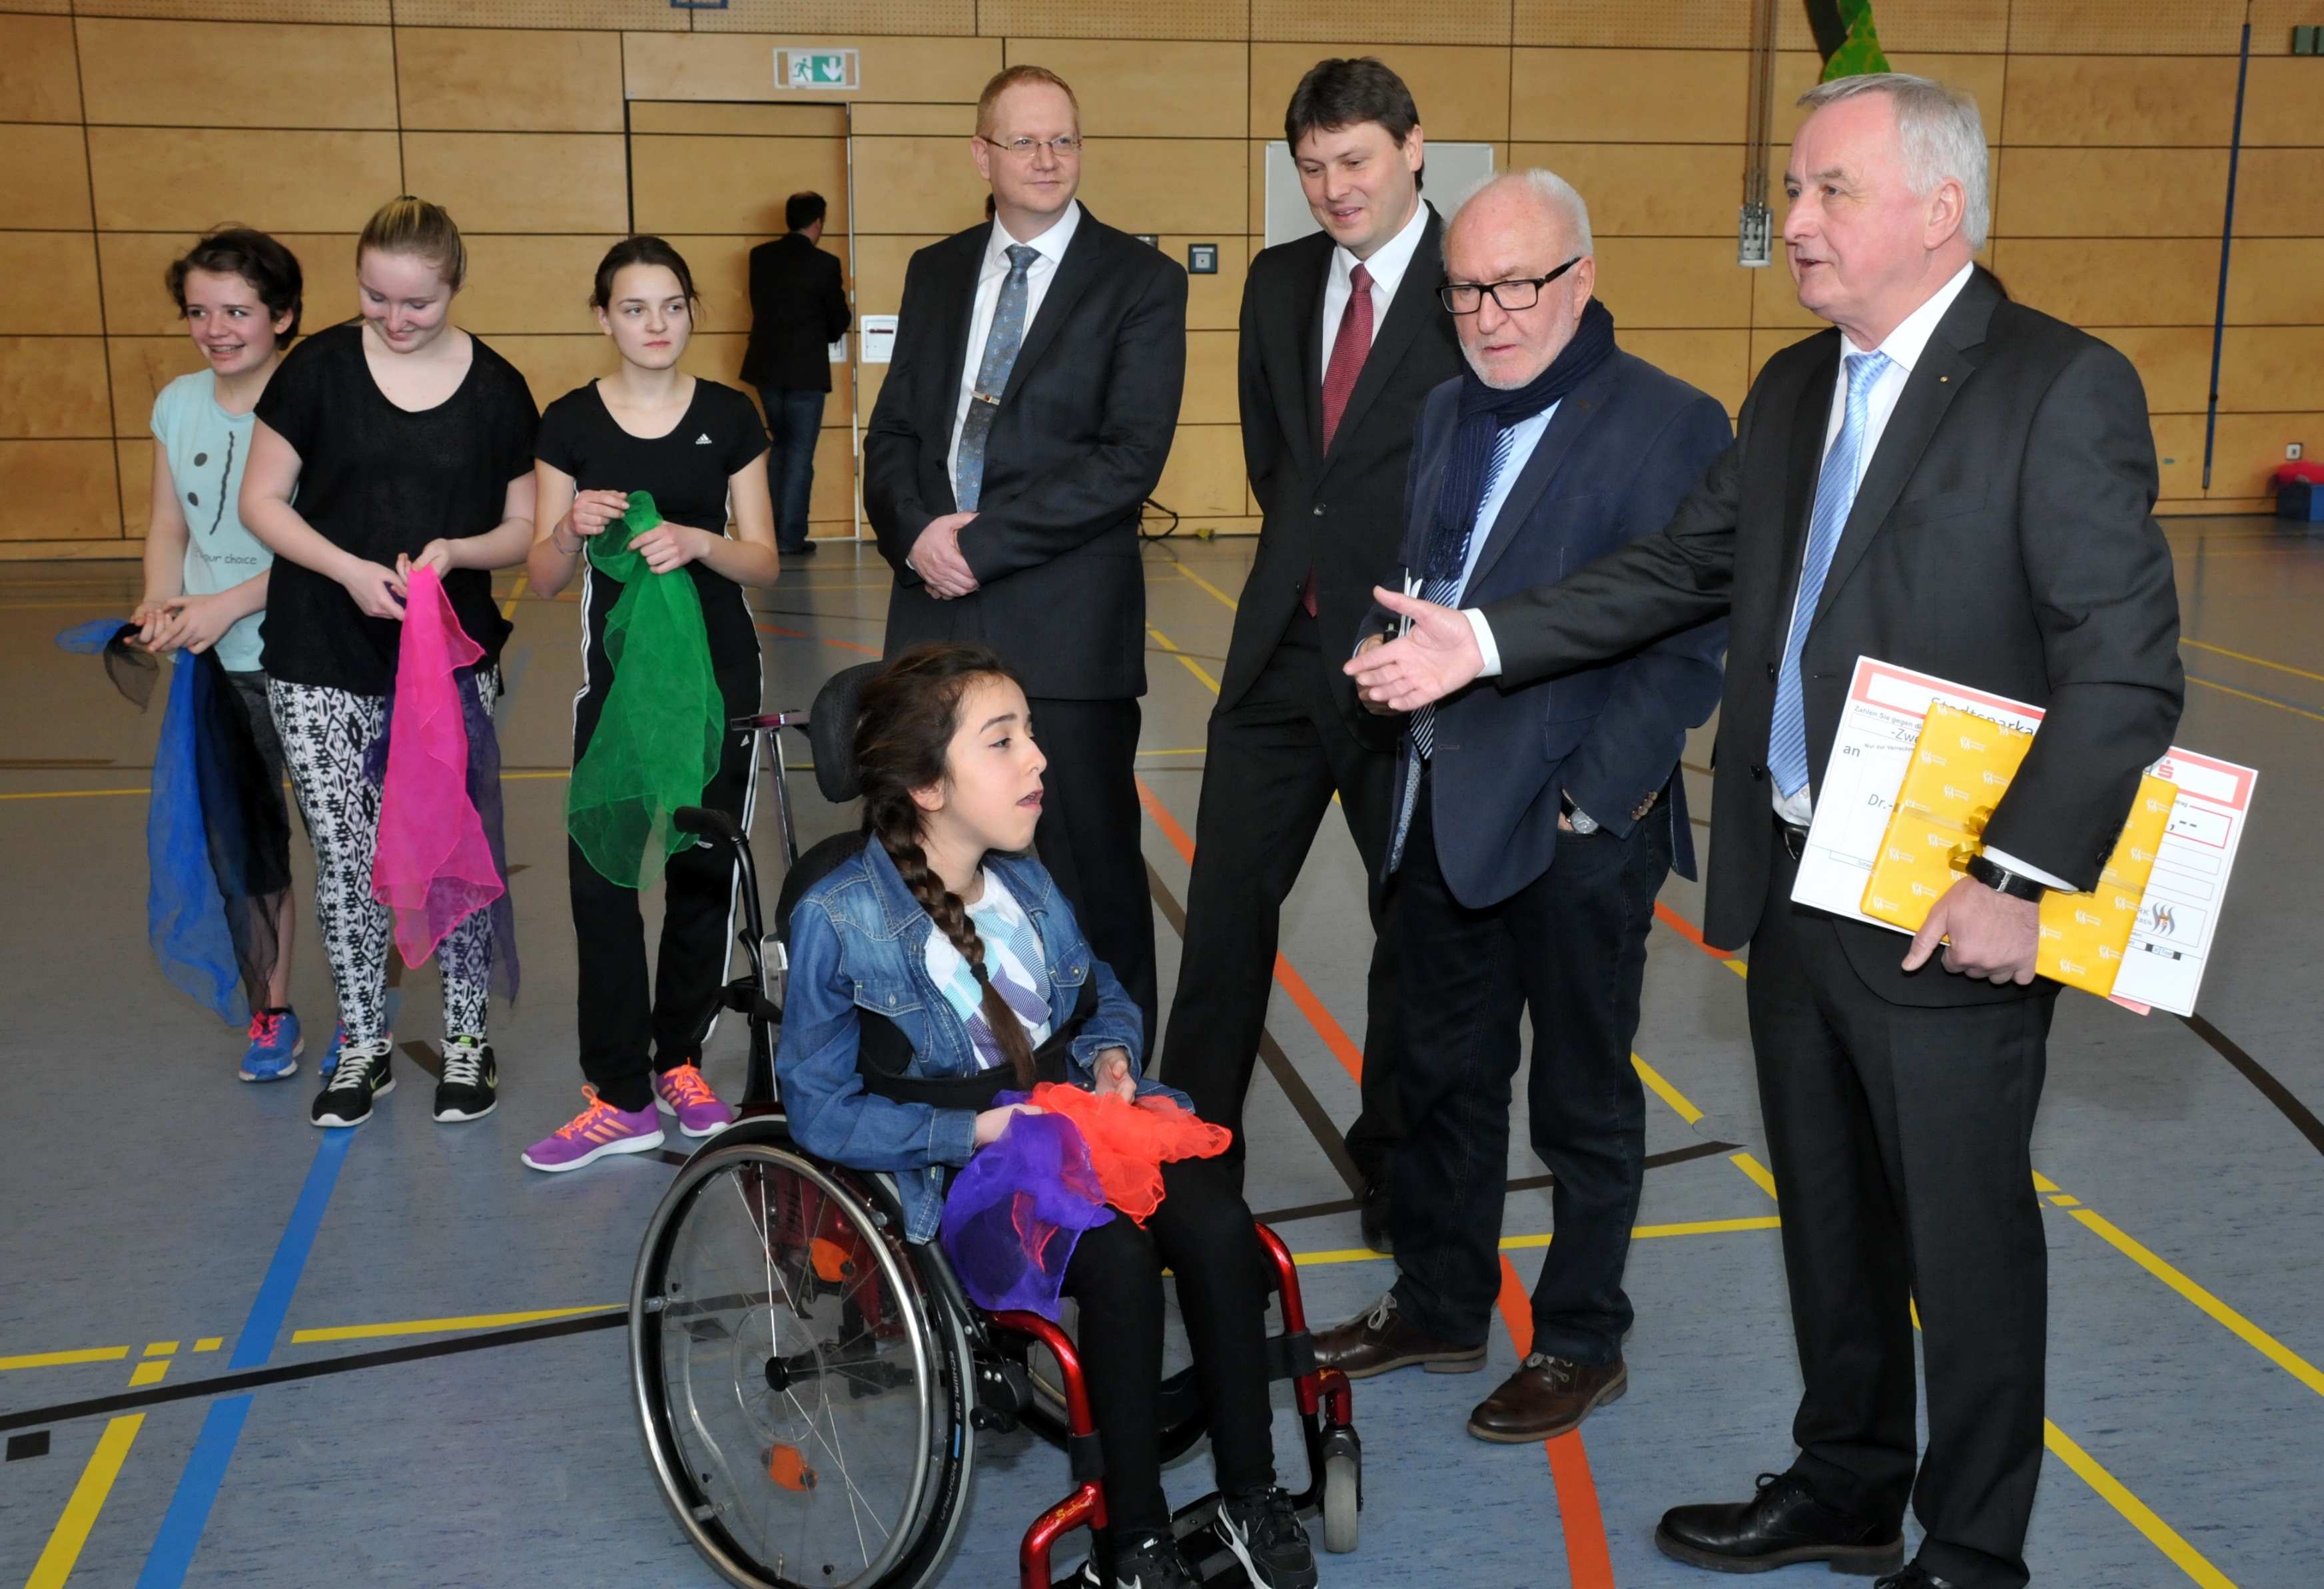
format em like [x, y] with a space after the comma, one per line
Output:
[1272, 765]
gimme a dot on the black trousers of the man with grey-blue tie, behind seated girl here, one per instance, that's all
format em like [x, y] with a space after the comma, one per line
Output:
[1089, 837]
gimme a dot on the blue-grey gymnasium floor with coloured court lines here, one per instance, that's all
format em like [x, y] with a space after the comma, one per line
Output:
[171, 1225]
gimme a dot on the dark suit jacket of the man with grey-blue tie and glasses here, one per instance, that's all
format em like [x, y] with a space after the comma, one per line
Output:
[1075, 452]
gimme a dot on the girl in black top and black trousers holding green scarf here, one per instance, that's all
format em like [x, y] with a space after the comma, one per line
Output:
[701, 452]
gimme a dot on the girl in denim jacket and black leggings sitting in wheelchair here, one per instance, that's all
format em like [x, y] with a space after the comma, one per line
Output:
[963, 944]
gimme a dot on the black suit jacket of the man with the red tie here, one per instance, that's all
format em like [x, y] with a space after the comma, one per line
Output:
[1333, 512]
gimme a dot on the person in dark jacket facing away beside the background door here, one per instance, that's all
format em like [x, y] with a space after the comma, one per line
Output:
[798, 310]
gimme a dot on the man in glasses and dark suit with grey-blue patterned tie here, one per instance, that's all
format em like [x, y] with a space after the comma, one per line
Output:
[1021, 426]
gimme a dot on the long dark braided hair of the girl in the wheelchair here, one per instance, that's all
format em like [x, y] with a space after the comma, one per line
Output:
[905, 728]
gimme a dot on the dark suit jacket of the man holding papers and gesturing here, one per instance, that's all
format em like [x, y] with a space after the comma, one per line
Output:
[2002, 538]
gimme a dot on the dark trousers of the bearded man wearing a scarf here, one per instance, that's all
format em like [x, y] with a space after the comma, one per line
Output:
[1570, 949]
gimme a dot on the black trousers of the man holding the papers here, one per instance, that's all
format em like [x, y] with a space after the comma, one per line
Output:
[1902, 1153]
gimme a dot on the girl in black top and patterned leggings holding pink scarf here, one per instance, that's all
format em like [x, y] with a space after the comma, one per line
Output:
[403, 443]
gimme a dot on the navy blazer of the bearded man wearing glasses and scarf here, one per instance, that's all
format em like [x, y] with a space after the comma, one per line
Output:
[1619, 459]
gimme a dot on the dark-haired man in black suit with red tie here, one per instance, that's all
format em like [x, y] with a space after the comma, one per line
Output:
[1342, 338]
